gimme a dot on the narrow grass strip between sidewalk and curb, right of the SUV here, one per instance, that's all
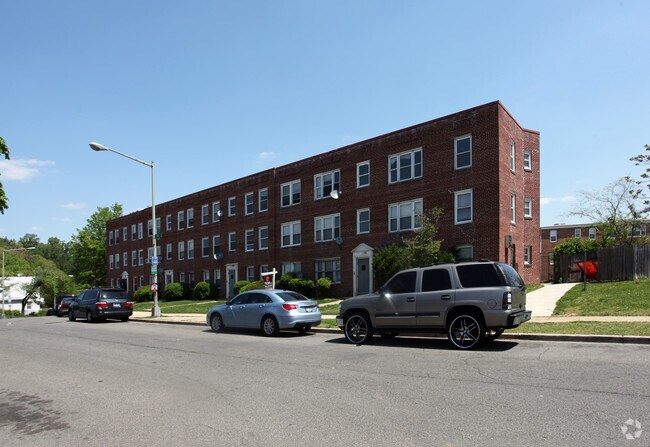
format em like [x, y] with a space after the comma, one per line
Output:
[585, 328]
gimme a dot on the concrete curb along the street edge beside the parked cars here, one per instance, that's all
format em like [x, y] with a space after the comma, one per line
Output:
[578, 338]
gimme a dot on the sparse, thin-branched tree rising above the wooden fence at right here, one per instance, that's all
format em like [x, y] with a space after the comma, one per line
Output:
[615, 211]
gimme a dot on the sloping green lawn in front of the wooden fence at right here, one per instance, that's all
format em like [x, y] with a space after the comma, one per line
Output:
[629, 298]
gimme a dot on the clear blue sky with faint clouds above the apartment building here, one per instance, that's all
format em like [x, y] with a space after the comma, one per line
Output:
[213, 91]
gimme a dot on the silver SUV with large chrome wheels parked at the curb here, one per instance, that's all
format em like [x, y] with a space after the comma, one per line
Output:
[471, 302]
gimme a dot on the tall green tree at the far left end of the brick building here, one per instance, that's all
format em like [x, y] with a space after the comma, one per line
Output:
[88, 247]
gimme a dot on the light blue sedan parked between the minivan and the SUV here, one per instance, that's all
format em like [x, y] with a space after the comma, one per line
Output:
[267, 310]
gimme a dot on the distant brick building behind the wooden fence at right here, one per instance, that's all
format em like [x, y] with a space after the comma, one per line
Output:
[556, 234]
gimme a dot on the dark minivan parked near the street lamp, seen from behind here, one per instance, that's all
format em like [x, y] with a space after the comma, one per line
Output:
[101, 303]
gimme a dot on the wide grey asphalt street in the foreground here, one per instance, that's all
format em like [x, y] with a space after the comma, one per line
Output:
[138, 384]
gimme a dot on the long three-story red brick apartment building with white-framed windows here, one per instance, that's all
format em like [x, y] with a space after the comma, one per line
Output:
[479, 165]
